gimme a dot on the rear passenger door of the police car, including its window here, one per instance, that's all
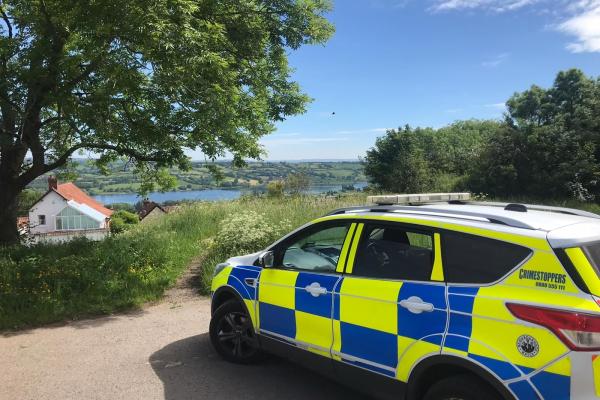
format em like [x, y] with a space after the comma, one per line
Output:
[390, 308]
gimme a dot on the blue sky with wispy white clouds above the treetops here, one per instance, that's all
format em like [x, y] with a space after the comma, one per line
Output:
[428, 63]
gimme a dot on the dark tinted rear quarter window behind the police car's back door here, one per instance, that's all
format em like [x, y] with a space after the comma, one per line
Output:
[476, 259]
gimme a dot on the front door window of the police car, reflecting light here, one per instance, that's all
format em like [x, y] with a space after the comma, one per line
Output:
[317, 249]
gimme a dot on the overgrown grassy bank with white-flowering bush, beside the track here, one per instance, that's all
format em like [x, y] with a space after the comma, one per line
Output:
[47, 283]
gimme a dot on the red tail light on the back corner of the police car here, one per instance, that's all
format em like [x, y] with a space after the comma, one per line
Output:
[578, 331]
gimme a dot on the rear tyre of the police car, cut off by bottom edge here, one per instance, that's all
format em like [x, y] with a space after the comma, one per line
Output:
[461, 387]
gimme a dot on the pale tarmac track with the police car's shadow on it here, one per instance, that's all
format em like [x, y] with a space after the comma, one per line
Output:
[159, 352]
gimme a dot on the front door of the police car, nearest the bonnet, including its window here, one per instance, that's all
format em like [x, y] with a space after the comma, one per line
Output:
[295, 295]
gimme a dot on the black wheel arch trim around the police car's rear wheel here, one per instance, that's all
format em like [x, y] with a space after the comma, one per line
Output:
[437, 367]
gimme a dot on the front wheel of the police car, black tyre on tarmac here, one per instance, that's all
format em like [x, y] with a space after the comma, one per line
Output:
[232, 334]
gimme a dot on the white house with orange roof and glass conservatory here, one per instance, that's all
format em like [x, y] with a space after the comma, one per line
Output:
[65, 212]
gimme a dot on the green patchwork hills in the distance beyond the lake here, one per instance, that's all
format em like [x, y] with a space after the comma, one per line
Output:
[254, 175]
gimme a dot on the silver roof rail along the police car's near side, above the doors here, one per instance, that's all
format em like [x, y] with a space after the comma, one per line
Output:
[495, 219]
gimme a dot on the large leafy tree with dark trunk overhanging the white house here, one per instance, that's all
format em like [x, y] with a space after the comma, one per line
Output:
[143, 80]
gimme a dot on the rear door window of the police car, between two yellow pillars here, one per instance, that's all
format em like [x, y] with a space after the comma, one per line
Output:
[392, 251]
